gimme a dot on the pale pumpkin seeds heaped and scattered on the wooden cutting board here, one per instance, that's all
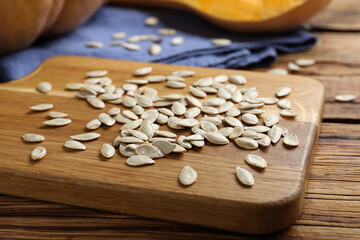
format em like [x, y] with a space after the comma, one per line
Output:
[229, 103]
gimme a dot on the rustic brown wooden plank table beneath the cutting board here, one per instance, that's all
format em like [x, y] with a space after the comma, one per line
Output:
[332, 203]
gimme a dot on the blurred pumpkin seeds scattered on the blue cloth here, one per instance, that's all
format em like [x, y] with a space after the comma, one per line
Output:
[156, 39]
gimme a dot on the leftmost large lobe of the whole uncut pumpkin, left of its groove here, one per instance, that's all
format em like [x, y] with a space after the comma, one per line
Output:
[21, 22]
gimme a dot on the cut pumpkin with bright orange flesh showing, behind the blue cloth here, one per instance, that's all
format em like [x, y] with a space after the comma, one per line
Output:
[249, 16]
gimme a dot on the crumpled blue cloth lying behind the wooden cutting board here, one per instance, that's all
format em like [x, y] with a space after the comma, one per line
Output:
[196, 50]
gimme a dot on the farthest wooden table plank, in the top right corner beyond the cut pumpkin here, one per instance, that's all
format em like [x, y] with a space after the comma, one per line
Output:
[339, 15]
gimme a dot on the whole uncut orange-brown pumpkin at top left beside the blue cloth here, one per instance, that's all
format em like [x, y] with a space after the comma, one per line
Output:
[23, 21]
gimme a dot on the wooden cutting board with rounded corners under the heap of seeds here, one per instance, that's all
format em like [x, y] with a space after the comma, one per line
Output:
[216, 200]
